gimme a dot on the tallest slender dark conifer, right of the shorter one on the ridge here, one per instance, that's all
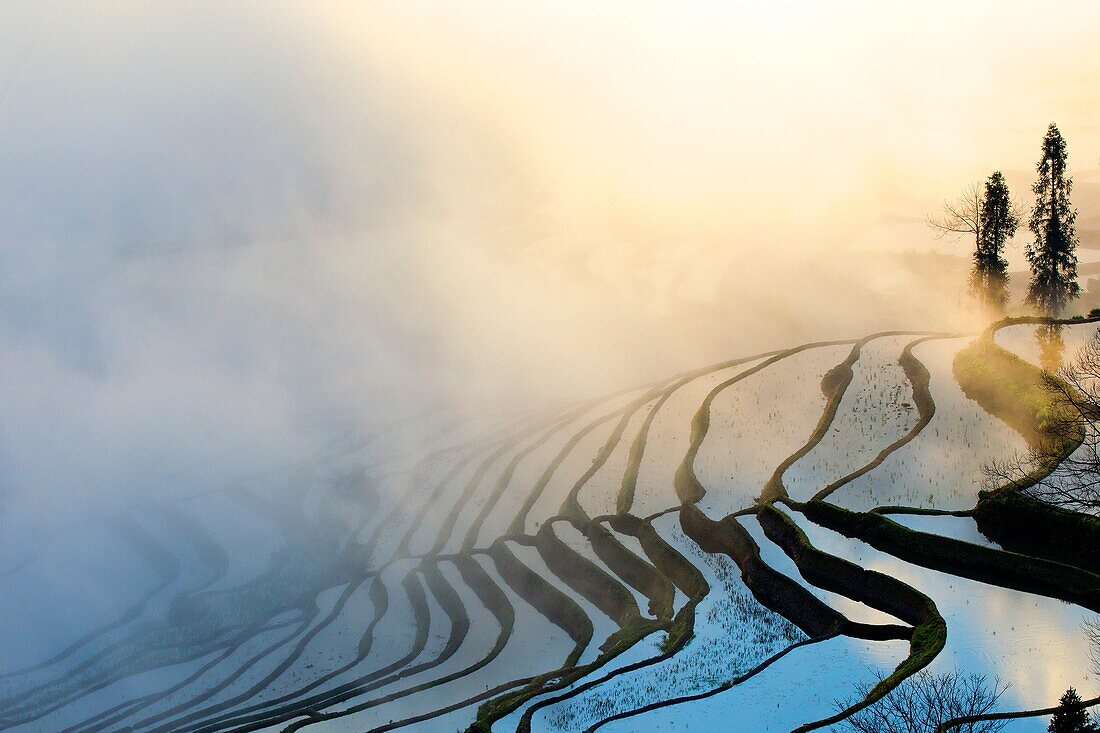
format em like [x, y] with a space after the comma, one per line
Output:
[1053, 256]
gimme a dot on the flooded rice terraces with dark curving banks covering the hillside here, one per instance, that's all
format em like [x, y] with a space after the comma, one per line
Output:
[743, 544]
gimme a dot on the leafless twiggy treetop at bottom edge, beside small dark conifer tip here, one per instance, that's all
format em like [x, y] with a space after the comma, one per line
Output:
[925, 702]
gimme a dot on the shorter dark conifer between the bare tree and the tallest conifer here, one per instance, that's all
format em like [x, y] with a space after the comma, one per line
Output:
[989, 280]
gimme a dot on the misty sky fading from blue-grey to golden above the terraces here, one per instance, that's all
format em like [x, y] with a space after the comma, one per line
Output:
[230, 233]
